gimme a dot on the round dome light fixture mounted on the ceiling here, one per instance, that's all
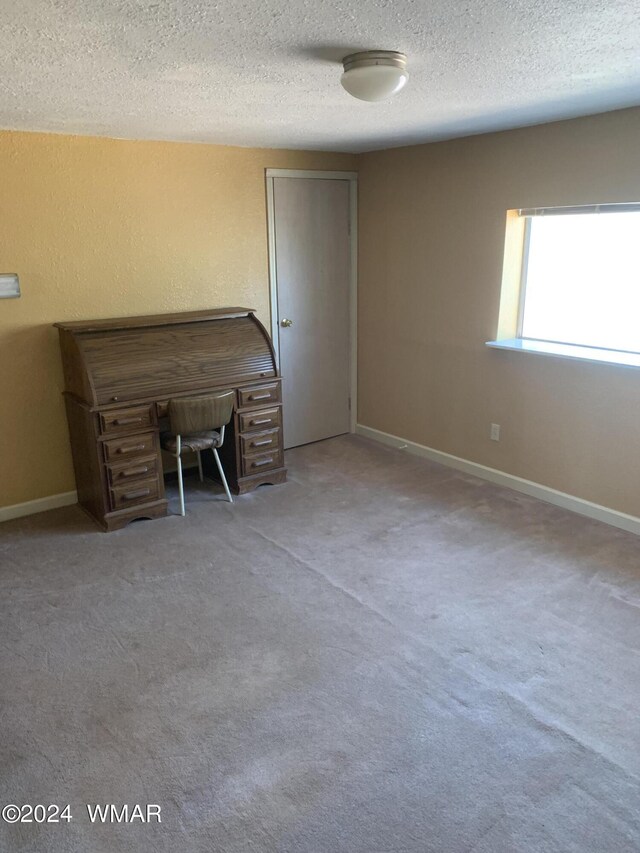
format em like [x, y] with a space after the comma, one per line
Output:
[374, 75]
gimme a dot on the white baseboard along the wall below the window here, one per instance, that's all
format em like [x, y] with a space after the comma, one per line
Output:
[536, 490]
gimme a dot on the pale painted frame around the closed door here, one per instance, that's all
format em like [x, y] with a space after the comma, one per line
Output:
[352, 178]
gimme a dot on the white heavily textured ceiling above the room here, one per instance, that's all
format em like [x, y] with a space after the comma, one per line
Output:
[267, 73]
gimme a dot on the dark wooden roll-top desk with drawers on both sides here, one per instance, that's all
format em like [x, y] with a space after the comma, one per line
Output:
[120, 375]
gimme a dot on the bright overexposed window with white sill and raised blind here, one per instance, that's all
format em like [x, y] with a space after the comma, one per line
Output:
[579, 283]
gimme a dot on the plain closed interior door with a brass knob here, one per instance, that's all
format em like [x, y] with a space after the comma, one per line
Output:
[312, 246]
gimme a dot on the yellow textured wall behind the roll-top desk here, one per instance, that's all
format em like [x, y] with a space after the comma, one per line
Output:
[106, 228]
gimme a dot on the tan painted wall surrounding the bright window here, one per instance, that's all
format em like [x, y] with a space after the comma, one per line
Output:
[431, 231]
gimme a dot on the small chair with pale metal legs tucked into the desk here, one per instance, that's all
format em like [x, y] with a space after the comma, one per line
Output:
[197, 424]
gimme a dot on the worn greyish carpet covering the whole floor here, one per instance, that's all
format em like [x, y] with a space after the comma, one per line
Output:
[381, 656]
